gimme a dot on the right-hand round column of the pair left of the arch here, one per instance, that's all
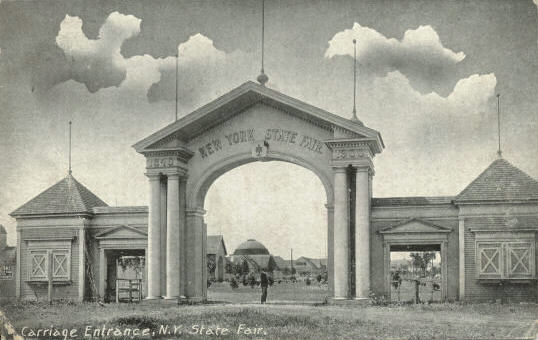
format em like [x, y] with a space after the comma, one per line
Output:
[172, 238]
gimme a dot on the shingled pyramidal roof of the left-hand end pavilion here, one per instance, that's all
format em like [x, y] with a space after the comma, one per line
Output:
[67, 196]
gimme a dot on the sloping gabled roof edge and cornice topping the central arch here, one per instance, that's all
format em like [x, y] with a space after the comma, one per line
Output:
[178, 134]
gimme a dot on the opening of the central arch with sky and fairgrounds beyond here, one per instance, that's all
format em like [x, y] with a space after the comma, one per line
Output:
[278, 206]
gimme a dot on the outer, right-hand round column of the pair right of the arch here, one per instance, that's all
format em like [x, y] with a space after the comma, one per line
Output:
[362, 233]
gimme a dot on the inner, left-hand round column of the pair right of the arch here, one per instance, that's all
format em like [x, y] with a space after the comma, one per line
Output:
[341, 234]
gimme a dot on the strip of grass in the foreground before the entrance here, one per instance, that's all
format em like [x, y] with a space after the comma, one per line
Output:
[283, 321]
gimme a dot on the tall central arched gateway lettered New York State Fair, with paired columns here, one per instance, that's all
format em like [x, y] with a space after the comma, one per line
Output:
[254, 123]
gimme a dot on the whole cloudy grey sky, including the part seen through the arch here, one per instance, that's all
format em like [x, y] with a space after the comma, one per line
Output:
[428, 73]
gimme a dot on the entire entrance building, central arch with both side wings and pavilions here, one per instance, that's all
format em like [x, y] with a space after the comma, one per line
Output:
[486, 235]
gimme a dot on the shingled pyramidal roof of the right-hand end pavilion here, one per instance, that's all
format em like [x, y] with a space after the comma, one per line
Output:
[501, 181]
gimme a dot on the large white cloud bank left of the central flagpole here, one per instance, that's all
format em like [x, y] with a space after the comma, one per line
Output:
[204, 70]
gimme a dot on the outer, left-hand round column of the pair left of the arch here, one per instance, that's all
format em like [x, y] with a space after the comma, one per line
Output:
[154, 238]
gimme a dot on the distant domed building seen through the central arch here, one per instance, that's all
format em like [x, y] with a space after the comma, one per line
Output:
[256, 255]
